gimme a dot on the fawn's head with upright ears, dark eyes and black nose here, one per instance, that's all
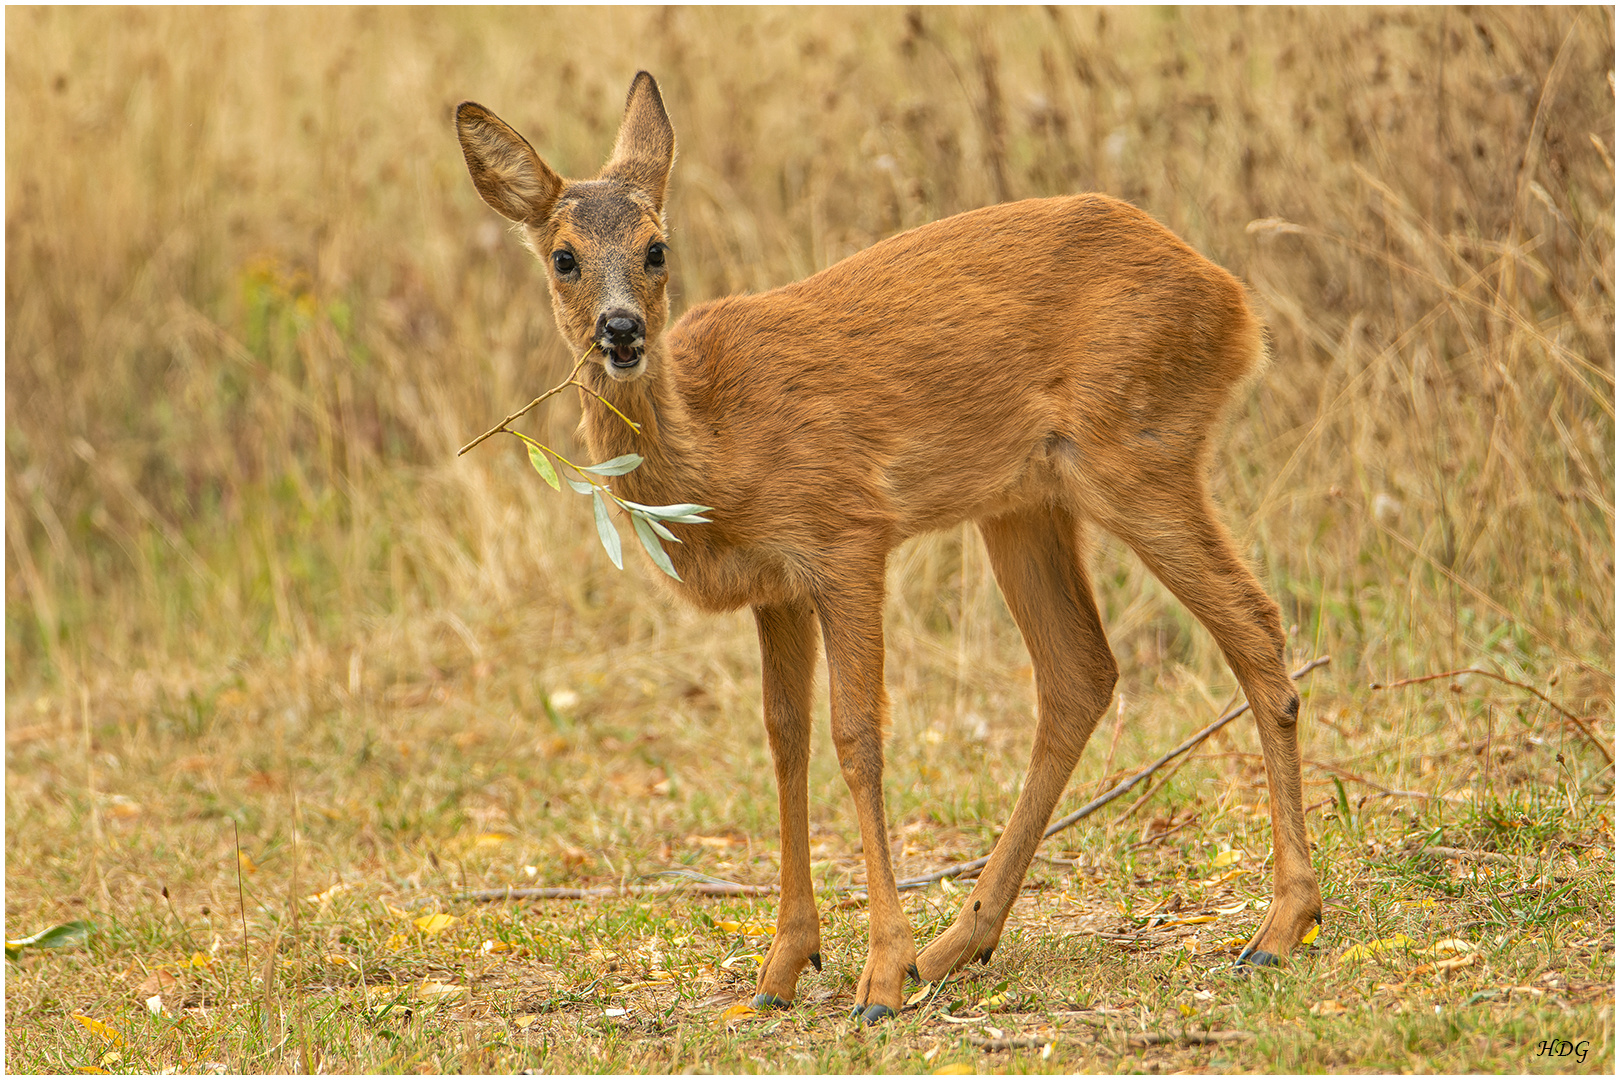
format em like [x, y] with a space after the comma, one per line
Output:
[602, 240]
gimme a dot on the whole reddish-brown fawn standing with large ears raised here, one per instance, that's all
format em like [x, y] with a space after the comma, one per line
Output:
[1041, 368]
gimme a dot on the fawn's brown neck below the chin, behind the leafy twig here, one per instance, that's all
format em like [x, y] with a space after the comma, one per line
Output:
[671, 470]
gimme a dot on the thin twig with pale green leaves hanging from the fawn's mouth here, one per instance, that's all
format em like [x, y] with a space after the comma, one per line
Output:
[650, 522]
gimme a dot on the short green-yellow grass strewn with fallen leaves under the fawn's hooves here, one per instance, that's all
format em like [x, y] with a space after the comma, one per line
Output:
[407, 812]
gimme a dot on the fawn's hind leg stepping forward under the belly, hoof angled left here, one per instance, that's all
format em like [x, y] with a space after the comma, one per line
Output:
[1039, 563]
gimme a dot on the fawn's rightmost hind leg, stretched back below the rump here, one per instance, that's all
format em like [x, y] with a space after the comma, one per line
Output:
[1187, 548]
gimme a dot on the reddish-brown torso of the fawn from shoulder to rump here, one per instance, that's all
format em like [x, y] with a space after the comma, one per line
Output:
[949, 370]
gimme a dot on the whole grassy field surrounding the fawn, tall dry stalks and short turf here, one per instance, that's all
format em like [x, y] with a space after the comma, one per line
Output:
[284, 679]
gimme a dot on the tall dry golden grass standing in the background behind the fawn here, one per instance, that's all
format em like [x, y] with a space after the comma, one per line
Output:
[254, 305]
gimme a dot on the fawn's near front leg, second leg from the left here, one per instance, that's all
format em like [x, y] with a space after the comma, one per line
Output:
[853, 629]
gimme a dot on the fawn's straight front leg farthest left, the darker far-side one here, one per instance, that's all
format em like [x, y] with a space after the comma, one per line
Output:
[788, 660]
